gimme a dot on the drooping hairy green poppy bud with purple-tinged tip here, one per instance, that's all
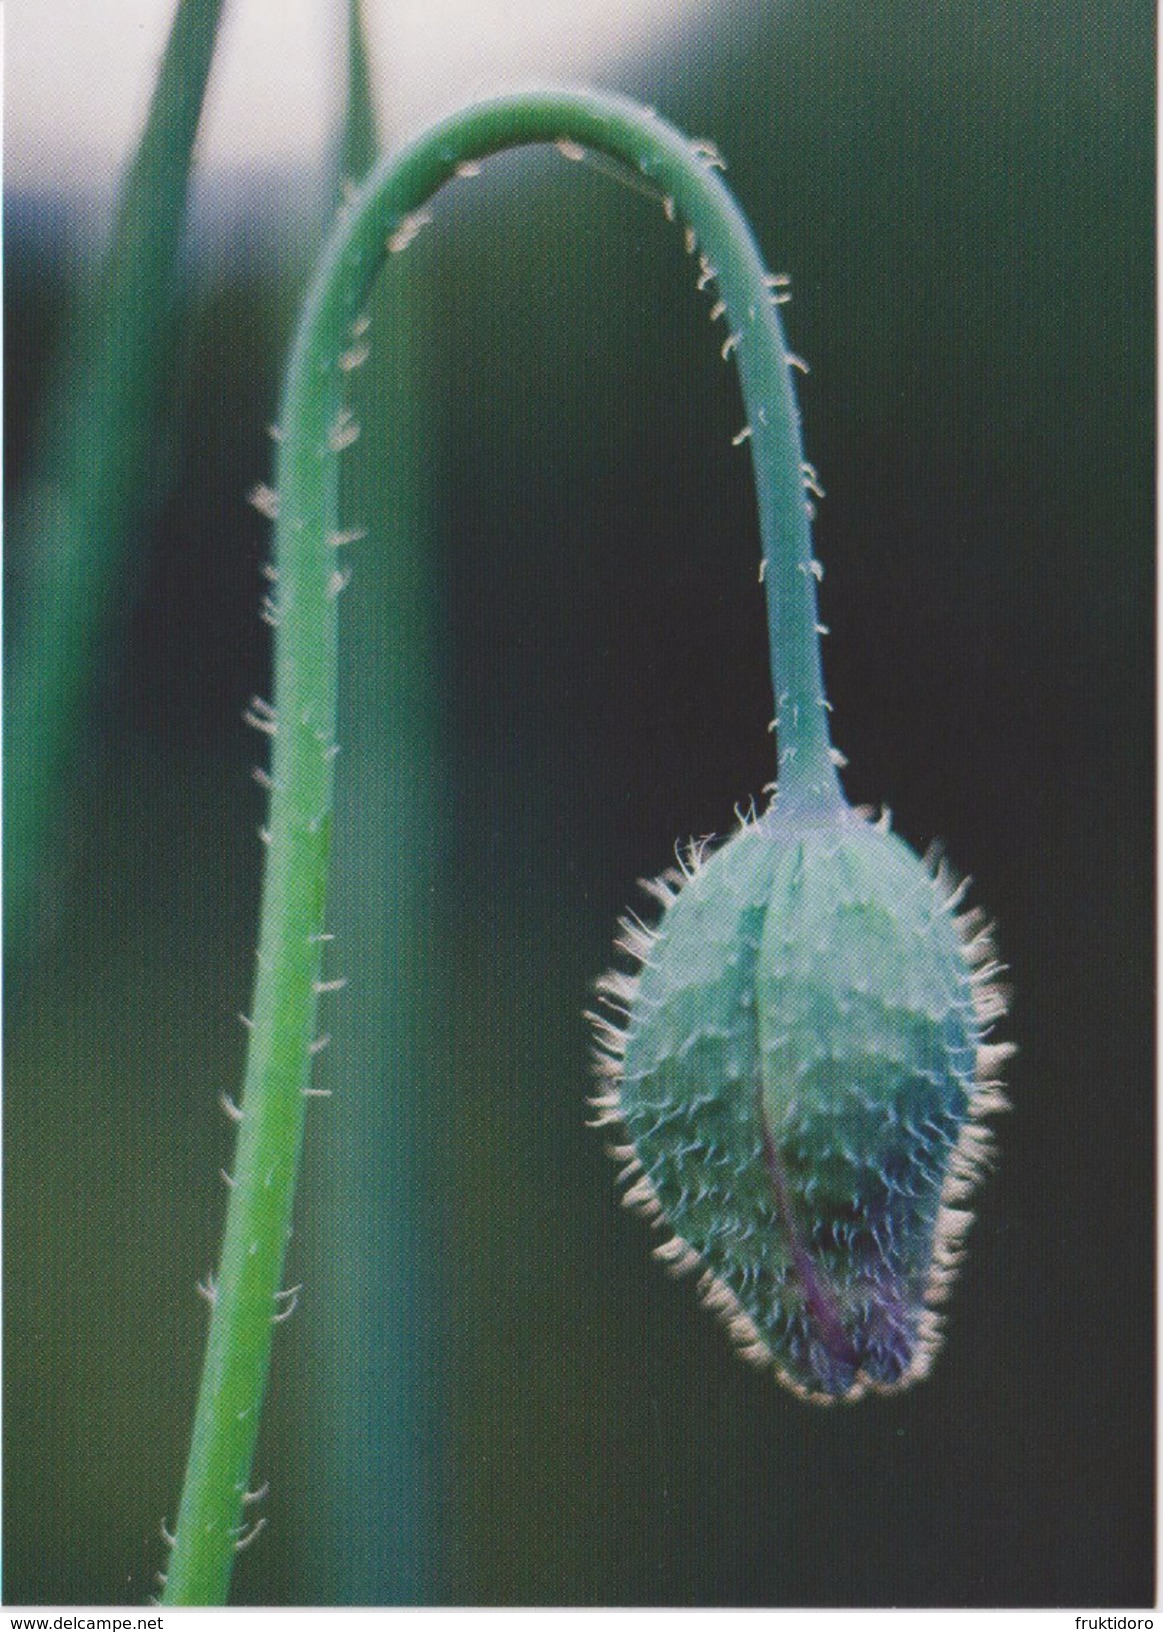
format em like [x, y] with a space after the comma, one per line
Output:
[802, 1068]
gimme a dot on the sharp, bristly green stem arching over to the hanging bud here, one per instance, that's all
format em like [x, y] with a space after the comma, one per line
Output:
[381, 221]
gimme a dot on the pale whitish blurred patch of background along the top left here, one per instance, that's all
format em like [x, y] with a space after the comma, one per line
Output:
[79, 73]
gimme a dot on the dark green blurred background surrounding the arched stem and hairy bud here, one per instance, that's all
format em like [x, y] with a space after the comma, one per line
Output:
[565, 676]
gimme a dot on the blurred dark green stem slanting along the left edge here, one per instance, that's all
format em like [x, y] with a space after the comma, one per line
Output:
[79, 520]
